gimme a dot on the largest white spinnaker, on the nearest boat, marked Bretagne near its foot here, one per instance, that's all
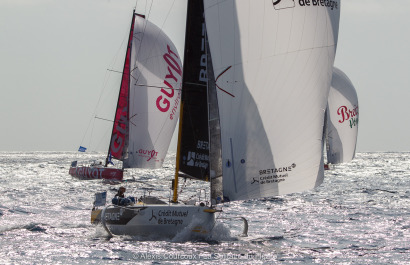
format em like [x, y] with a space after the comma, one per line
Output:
[273, 63]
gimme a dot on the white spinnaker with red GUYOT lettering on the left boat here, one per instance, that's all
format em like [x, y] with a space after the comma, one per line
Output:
[155, 92]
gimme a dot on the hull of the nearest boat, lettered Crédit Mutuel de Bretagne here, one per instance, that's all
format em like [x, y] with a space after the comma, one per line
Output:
[156, 220]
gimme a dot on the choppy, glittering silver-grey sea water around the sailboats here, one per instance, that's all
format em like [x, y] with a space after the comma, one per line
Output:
[359, 215]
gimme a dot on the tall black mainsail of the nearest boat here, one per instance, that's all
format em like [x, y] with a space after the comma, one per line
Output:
[194, 140]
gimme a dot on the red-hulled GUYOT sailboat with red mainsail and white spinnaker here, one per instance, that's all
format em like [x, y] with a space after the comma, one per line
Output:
[150, 91]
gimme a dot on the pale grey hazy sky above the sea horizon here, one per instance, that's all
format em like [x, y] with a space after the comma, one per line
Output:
[54, 56]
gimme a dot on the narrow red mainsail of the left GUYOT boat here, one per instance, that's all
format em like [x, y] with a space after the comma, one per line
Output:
[119, 134]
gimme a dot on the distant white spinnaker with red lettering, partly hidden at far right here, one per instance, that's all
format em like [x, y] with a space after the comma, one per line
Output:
[342, 119]
